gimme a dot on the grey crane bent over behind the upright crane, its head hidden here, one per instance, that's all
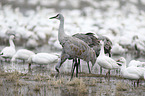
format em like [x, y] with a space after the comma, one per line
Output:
[94, 42]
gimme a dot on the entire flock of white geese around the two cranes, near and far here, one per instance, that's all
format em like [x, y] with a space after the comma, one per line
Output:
[126, 32]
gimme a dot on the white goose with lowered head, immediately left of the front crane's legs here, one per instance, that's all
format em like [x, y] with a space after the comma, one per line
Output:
[42, 58]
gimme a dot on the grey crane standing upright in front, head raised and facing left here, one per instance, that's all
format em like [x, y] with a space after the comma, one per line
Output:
[72, 48]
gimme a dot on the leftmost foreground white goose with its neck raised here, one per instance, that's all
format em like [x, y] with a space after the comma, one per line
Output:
[8, 52]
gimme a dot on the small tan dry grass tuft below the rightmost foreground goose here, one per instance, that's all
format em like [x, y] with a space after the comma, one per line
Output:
[120, 86]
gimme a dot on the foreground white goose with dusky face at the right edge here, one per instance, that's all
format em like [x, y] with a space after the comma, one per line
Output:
[132, 72]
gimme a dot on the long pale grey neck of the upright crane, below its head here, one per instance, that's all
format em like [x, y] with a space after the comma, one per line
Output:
[61, 33]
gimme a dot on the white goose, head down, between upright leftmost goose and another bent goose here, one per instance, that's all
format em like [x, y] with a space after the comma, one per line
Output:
[22, 54]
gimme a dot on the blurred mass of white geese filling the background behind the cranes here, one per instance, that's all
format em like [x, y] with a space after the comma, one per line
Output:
[119, 20]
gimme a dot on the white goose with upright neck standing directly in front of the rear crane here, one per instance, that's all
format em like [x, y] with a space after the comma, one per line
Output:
[105, 61]
